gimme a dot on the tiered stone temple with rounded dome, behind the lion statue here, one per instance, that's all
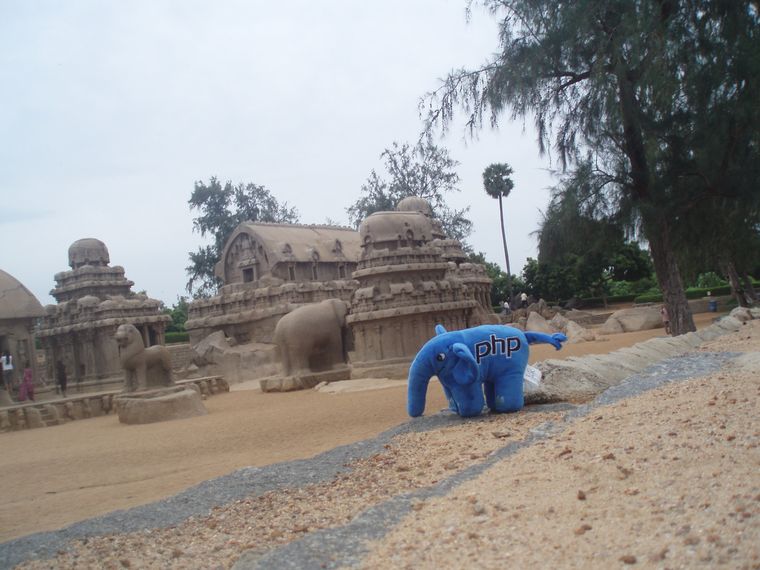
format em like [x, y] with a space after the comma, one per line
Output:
[93, 300]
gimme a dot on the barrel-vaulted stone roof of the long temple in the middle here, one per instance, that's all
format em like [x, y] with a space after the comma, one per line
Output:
[296, 242]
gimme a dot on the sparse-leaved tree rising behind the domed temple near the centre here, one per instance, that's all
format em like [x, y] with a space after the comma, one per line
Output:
[424, 170]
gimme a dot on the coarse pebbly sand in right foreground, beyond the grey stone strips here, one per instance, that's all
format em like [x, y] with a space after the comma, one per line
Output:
[668, 479]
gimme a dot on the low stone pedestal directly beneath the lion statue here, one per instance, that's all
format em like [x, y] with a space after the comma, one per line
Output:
[172, 403]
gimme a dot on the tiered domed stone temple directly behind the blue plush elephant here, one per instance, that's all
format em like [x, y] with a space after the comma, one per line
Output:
[410, 279]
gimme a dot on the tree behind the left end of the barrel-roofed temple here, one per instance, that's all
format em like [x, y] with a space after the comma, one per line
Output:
[222, 209]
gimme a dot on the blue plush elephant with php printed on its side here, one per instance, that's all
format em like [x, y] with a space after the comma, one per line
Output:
[469, 362]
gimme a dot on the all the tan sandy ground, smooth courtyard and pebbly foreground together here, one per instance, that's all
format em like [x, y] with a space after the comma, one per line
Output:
[60, 475]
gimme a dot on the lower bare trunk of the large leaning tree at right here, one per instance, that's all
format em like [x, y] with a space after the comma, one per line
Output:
[669, 279]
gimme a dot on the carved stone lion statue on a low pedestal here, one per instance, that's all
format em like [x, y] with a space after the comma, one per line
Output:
[144, 368]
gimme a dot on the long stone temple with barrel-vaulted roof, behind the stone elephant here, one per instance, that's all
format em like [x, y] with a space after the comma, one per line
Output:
[269, 269]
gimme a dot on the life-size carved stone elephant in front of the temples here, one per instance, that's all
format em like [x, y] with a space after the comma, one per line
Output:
[313, 338]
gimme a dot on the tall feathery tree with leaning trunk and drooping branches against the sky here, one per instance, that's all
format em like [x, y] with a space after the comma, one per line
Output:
[607, 78]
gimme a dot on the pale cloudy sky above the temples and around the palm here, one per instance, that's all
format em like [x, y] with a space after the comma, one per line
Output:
[109, 111]
